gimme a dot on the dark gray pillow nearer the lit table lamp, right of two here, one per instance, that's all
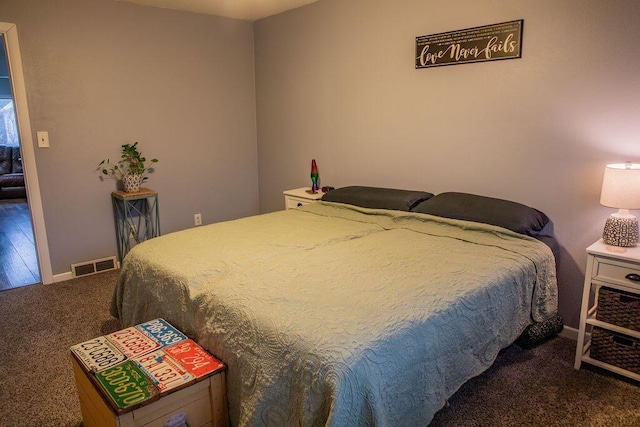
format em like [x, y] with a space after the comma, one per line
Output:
[470, 207]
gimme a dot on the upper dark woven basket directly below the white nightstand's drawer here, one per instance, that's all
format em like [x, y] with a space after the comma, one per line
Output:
[619, 308]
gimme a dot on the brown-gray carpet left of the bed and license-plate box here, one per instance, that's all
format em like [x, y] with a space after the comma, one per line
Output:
[39, 324]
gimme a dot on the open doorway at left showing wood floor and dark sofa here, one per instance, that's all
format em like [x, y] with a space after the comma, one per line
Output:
[18, 256]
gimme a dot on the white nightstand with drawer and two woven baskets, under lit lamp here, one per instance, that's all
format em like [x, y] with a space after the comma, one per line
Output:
[609, 330]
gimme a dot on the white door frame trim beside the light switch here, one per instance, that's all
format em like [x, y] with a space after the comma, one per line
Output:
[14, 60]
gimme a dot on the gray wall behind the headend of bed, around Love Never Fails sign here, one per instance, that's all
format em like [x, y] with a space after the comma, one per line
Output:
[336, 82]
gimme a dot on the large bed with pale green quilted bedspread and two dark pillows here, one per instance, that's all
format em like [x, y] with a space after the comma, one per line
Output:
[370, 307]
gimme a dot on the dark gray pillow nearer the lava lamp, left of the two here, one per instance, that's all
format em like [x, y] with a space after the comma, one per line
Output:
[377, 198]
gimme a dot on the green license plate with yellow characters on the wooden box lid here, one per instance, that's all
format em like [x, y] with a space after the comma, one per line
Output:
[126, 385]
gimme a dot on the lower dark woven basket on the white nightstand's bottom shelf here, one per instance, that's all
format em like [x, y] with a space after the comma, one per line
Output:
[615, 349]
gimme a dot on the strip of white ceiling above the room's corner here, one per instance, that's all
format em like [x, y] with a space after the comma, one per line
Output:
[239, 9]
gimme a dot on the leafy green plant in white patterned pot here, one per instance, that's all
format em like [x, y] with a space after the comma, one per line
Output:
[130, 169]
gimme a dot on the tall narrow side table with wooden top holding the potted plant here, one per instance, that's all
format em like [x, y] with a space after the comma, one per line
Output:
[136, 216]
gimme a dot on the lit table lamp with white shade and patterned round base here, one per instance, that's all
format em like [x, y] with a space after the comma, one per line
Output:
[621, 190]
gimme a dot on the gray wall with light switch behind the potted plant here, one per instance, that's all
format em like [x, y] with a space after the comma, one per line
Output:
[100, 73]
